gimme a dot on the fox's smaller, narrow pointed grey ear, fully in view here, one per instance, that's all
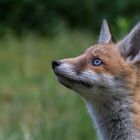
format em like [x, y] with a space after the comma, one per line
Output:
[105, 35]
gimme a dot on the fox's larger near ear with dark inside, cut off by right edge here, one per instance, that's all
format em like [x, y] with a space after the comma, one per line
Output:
[130, 45]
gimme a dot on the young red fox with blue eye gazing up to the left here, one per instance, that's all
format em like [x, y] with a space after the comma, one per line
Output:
[107, 76]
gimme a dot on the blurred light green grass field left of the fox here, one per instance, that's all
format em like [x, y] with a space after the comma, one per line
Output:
[33, 105]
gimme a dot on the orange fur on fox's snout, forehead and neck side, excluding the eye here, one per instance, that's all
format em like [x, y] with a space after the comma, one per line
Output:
[114, 64]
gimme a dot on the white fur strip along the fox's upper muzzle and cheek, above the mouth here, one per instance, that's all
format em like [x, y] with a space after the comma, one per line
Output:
[92, 78]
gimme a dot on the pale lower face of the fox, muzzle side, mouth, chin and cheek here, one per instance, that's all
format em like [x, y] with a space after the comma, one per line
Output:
[91, 85]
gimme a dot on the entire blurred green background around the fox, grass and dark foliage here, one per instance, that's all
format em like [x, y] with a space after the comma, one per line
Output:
[33, 105]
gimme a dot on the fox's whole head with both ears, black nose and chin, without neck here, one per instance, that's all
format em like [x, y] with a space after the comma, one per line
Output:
[104, 69]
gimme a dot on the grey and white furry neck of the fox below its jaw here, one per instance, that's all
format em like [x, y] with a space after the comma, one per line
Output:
[113, 118]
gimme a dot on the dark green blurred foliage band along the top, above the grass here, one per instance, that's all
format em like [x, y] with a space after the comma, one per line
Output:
[50, 16]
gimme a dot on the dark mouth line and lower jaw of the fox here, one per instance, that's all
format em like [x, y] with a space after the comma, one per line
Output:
[69, 82]
